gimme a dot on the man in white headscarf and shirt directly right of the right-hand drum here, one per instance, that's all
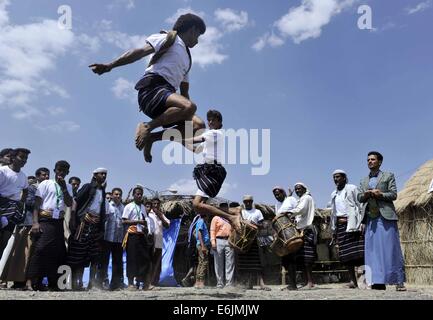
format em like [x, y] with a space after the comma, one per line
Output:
[304, 215]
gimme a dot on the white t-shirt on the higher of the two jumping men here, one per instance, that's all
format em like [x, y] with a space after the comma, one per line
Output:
[174, 64]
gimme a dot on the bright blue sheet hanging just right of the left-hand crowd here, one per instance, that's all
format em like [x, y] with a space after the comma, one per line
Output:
[166, 278]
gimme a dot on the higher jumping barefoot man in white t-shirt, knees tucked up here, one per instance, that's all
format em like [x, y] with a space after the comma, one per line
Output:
[167, 72]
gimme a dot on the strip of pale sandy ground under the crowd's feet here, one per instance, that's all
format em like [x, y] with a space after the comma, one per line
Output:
[320, 292]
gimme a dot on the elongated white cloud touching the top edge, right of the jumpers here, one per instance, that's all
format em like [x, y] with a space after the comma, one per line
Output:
[303, 22]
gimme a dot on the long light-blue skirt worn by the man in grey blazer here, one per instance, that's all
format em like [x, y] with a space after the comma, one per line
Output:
[384, 263]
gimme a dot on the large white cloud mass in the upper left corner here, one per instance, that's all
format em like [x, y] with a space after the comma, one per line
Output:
[27, 53]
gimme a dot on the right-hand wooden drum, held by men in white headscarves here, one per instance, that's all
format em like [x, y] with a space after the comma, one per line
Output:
[287, 233]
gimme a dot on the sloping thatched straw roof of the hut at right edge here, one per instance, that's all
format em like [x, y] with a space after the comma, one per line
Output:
[415, 190]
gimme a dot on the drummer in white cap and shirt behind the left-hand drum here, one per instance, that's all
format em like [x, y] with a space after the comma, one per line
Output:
[249, 265]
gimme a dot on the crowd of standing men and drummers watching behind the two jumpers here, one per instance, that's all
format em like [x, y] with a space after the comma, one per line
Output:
[46, 223]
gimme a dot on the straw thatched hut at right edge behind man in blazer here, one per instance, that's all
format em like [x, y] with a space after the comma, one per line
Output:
[414, 207]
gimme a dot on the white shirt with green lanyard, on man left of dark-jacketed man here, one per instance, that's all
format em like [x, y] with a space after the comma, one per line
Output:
[48, 193]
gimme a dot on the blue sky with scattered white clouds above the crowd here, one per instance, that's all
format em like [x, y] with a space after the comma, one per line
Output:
[328, 91]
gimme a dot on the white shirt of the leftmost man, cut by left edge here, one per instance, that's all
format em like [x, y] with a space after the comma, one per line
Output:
[12, 183]
